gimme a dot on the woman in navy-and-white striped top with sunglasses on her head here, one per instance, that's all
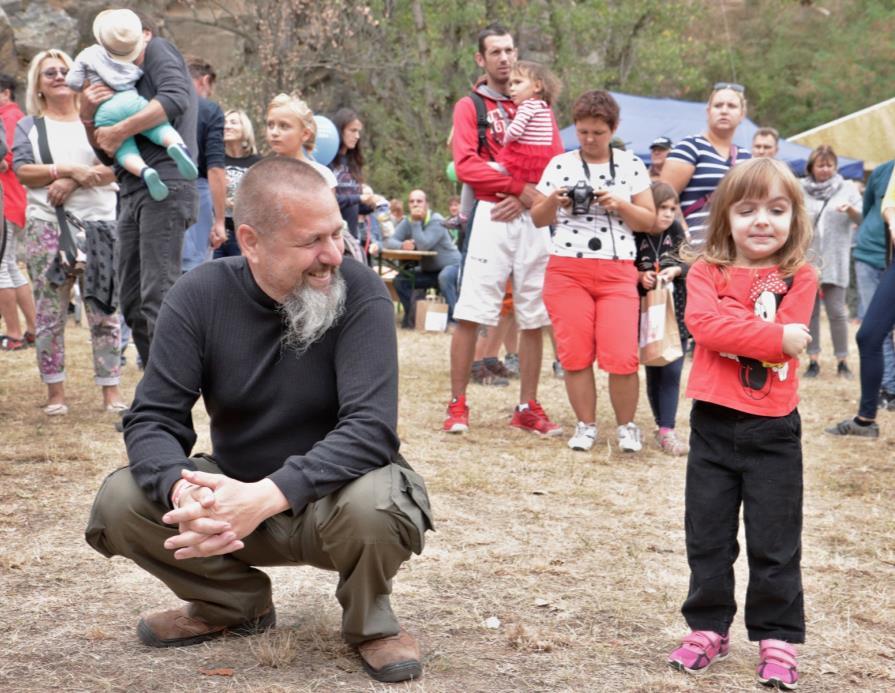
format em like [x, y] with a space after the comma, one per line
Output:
[696, 165]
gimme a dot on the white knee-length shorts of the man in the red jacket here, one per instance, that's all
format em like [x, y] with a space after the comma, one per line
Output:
[497, 250]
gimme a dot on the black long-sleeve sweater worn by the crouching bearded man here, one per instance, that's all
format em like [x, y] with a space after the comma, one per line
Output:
[310, 423]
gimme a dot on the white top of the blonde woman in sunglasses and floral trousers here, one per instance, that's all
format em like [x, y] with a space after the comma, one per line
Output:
[68, 145]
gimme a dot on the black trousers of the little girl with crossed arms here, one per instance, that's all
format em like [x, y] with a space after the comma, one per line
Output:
[737, 458]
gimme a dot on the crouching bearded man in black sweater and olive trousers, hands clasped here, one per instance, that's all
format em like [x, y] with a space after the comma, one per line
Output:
[294, 354]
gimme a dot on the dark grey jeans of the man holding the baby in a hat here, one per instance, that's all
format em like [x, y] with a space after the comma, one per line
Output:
[150, 243]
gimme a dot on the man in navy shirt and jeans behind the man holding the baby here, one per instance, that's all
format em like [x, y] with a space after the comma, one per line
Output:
[209, 230]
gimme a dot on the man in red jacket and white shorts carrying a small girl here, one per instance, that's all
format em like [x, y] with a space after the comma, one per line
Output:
[501, 241]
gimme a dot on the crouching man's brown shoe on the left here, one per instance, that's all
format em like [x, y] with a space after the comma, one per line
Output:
[176, 628]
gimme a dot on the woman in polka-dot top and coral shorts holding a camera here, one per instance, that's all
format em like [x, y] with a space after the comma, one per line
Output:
[595, 197]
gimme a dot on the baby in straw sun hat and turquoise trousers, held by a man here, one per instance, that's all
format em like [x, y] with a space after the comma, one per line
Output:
[111, 60]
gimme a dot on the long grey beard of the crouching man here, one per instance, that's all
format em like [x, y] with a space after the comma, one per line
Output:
[309, 312]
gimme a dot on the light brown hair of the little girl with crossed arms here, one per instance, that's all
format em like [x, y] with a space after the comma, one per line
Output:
[753, 180]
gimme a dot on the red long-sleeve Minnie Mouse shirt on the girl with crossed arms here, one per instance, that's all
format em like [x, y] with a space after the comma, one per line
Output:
[736, 316]
